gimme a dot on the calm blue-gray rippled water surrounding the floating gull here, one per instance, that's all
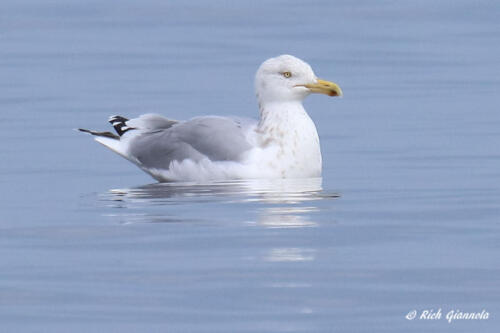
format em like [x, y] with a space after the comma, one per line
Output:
[406, 217]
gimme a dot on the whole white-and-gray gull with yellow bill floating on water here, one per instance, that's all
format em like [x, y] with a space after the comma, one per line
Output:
[282, 143]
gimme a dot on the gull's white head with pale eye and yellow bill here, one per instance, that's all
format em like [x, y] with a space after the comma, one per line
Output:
[287, 79]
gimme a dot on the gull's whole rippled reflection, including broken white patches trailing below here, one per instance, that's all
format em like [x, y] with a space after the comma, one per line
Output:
[285, 204]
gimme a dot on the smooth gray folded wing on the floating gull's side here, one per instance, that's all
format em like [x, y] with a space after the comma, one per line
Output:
[216, 138]
